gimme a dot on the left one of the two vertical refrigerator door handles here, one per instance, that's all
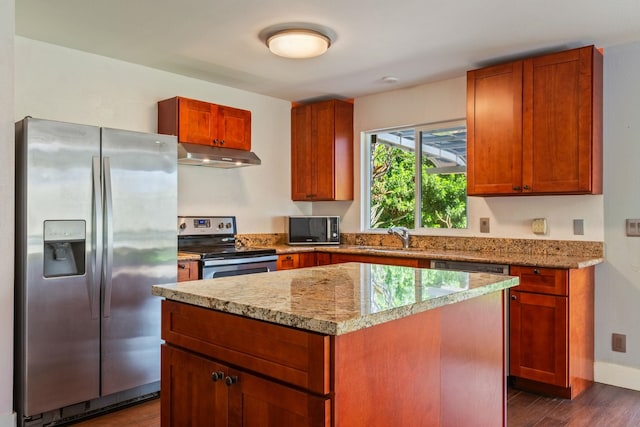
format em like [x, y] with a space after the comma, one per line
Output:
[94, 286]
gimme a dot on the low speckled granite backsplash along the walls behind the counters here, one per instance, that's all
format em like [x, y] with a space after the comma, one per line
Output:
[474, 244]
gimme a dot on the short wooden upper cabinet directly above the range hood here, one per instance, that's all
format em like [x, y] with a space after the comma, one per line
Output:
[199, 122]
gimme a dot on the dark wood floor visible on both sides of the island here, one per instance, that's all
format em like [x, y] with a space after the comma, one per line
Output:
[600, 405]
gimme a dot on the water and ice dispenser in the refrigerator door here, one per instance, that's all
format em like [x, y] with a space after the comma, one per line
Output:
[64, 248]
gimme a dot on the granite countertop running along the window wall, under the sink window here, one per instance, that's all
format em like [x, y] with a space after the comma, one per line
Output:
[493, 257]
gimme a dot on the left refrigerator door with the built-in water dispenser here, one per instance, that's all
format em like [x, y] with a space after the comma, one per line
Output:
[57, 317]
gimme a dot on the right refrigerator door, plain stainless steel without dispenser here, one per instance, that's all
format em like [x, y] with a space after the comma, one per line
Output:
[140, 172]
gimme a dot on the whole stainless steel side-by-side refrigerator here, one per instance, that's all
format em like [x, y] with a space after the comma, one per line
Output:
[96, 211]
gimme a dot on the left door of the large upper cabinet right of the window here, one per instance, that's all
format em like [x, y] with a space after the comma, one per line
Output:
[494, 130]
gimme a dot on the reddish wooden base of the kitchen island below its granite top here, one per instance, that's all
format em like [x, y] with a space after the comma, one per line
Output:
[440, 367]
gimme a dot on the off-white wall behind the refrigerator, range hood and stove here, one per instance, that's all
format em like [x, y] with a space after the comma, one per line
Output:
[68, 85]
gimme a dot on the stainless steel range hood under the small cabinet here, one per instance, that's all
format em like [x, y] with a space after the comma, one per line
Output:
[215, 157]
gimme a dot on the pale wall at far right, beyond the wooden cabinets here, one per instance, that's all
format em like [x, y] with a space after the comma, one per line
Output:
[618, 279]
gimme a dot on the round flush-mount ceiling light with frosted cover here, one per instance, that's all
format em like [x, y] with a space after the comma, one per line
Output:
[298, 43]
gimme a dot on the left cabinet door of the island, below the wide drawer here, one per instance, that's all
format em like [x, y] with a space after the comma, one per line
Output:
[191, 394]
